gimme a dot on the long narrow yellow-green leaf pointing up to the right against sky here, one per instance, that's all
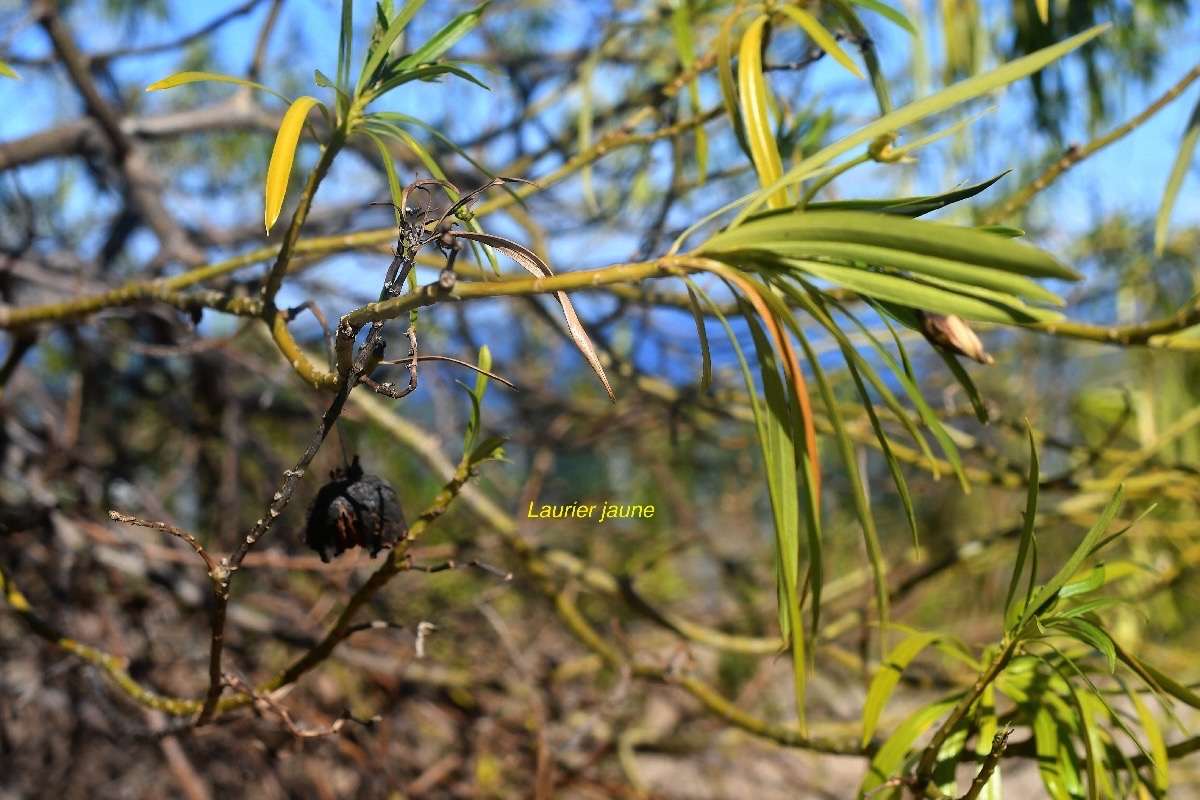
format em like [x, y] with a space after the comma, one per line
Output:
[956, 95]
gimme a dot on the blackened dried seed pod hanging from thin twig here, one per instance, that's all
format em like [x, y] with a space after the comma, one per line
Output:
[355, 510]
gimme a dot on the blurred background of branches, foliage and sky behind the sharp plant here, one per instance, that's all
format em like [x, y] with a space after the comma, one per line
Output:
[154, 410]
